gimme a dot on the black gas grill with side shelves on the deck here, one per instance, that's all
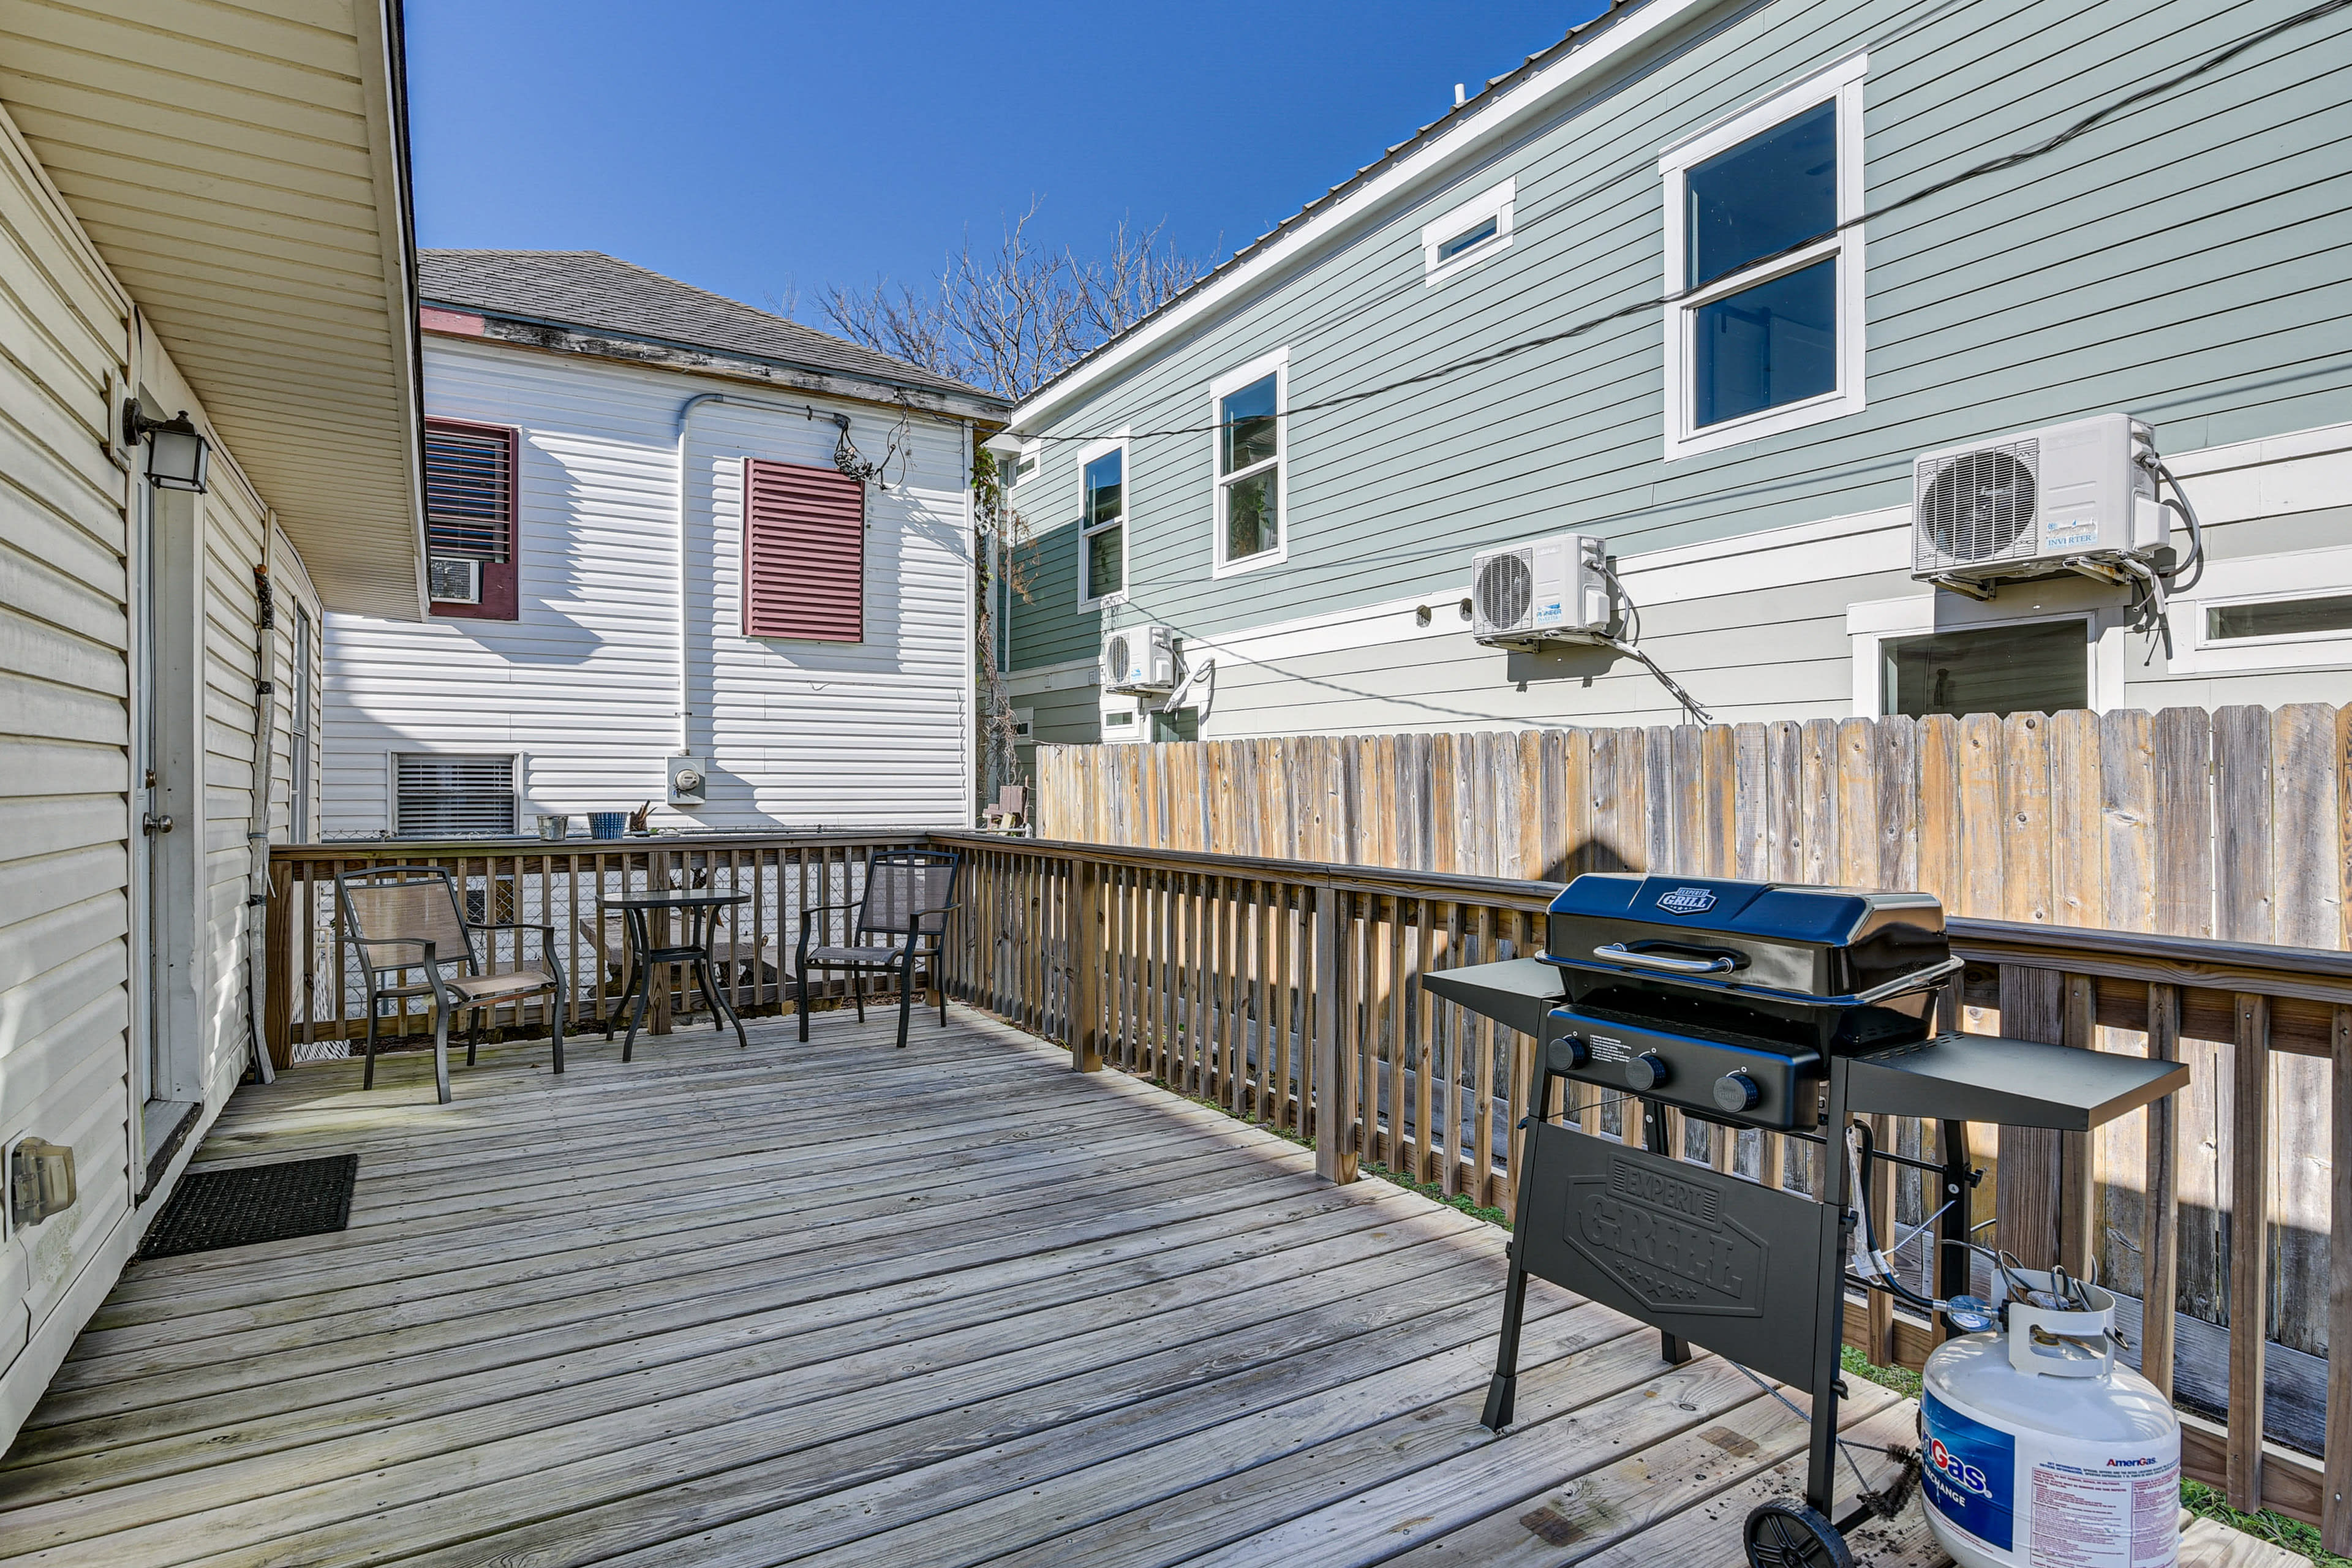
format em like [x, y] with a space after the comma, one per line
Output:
[1756, 1005]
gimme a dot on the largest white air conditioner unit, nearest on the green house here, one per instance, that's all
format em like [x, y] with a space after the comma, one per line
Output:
[2038, 502]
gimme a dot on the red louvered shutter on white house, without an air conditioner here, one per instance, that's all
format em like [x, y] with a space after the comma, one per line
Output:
[803, 554]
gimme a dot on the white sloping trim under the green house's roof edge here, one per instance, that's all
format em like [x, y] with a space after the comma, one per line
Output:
[1502, 121]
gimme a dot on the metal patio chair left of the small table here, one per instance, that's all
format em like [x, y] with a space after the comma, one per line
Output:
[408, 918]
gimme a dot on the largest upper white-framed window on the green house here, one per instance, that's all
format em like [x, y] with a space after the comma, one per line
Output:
[1768, 323]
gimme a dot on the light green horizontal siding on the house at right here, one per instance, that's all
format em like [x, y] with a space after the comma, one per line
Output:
[2189, 262]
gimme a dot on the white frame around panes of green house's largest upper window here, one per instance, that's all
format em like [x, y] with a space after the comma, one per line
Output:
[1840, 83]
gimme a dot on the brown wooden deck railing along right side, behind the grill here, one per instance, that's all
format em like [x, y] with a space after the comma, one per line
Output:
[1290, 993]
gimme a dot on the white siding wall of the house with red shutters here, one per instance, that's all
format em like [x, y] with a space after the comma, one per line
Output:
[584, 683]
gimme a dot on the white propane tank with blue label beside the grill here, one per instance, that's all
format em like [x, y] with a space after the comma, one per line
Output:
[2038, 1449]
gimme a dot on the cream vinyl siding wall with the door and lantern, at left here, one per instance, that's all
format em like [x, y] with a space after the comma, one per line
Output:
[67, 843]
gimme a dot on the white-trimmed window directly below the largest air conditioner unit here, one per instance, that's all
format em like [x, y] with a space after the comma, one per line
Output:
[1932, 655]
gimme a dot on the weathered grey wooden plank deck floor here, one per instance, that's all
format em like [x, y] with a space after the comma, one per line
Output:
[841, 1304]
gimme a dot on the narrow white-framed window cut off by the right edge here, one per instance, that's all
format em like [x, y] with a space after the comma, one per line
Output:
[2266, 612]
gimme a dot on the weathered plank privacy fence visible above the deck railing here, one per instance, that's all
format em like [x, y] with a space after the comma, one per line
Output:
[2184, 822]
